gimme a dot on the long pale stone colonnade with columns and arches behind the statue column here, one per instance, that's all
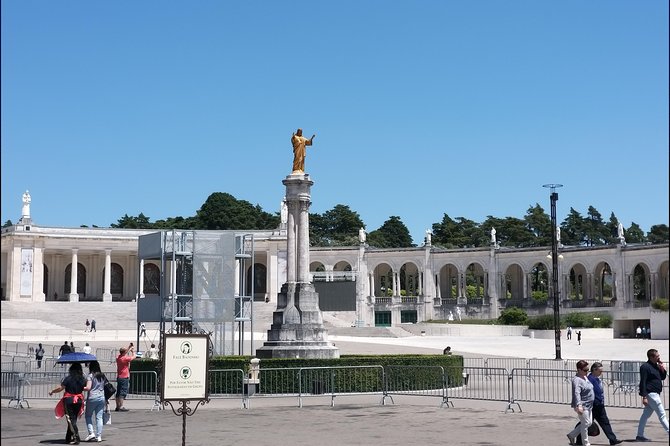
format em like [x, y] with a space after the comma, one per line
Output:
[391, 286]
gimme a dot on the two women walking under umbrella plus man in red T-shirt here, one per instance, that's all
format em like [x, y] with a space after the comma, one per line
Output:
[73, 403]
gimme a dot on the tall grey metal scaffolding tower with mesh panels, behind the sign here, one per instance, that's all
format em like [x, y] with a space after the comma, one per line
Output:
[207, 285]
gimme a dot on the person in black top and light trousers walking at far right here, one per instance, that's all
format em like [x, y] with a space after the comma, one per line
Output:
[652, 375]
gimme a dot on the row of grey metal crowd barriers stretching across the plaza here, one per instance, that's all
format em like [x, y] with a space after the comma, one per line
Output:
[512, 387]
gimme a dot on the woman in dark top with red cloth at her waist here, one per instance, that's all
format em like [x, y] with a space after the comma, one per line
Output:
[72, 403]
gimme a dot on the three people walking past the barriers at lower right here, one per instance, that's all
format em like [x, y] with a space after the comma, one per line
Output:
[589, 403]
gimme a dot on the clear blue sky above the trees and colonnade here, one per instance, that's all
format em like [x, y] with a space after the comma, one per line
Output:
[420, 107]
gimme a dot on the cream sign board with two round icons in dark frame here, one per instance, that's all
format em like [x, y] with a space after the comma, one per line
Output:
[185, 367]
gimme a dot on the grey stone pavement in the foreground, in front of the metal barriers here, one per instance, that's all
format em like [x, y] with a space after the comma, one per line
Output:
[354, 420]
